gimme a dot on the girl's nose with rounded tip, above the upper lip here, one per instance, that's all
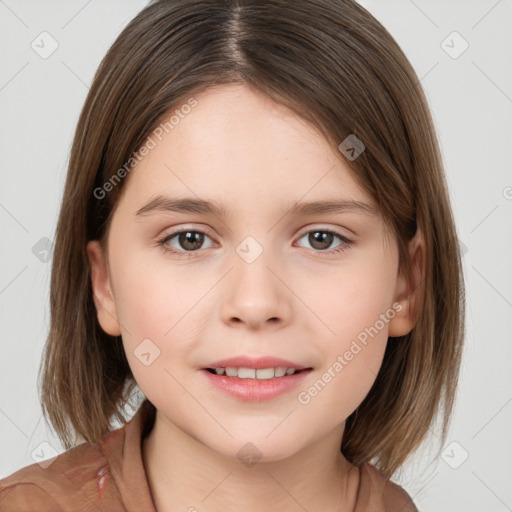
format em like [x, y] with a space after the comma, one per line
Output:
[255, 295]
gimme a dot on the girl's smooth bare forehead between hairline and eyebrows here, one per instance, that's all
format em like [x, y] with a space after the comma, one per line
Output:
[238, 146]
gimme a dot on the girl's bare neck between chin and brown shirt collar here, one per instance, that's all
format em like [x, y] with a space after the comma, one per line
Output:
[184, 474]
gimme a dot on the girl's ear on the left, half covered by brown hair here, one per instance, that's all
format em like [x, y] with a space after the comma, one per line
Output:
[102, 291]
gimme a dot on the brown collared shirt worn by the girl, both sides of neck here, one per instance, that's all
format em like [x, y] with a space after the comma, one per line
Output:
[109, 476]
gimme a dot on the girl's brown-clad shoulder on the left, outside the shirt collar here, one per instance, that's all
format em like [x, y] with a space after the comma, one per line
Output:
[58, 484]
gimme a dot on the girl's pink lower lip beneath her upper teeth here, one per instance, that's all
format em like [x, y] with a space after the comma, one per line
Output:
[254, 390]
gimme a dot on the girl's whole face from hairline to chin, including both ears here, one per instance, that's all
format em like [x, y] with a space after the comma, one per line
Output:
[319, 289]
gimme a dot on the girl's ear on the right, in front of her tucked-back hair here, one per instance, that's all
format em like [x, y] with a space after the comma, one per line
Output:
[408, 289]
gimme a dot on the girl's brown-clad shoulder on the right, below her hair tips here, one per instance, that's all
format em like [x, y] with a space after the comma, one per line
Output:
[381, 493]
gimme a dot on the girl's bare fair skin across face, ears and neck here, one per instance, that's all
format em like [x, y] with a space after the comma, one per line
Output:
[241, 149]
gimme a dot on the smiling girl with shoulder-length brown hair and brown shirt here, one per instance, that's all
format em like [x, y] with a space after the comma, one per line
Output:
[256, 233]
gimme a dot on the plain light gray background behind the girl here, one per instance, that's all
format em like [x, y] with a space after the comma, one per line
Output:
[471, 99]
